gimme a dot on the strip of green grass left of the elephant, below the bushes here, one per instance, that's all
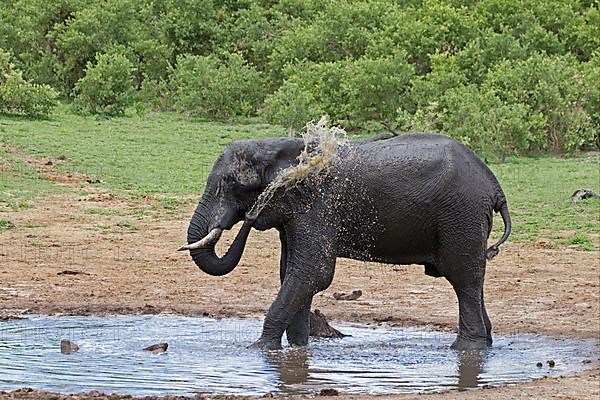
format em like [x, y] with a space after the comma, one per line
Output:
[153, 153]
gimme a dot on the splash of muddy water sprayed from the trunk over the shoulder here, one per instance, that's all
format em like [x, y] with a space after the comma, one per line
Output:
[321, 150]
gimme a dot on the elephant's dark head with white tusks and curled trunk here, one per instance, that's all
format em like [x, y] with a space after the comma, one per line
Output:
[238, 177]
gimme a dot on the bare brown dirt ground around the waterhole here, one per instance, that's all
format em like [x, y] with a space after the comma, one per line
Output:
[104, 254]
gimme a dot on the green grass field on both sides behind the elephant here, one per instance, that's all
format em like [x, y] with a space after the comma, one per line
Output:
[169, 154]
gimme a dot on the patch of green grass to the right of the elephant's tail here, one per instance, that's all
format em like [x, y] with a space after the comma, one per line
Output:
[539, 193]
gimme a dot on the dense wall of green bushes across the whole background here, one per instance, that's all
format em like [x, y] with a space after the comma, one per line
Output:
[509, 77]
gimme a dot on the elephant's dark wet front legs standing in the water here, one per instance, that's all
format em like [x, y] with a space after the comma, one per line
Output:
[309, 270]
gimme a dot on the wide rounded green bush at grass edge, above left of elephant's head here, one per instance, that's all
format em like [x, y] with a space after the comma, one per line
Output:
[215, 89]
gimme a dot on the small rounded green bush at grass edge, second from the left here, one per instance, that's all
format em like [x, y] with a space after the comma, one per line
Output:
[107, 87]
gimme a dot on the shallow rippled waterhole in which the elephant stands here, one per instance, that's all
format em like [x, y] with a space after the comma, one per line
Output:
[210, 356]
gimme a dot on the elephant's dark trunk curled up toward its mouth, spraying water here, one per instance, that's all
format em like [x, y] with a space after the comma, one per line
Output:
[204, 256]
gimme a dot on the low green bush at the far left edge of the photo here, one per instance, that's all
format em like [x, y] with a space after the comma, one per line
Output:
[17, 96]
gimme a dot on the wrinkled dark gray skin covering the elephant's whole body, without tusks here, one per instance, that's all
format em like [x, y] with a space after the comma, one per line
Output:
[413, 199]
